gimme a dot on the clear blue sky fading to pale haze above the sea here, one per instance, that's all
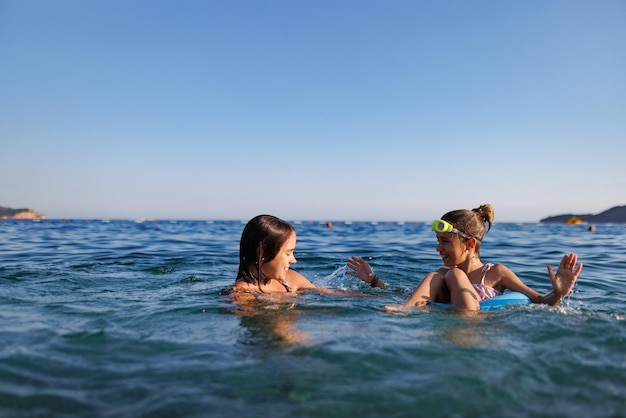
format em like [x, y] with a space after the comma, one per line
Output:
[312, 110]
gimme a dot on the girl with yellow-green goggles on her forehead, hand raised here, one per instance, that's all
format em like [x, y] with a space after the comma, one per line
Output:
[465, 280]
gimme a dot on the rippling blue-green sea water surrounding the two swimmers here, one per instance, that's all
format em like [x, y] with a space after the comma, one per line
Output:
[113, 318]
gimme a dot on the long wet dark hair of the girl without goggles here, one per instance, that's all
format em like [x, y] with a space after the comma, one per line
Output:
[261, 239]
